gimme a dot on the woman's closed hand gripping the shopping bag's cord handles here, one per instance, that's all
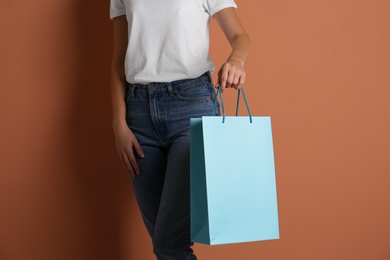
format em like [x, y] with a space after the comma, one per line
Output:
[232, 74]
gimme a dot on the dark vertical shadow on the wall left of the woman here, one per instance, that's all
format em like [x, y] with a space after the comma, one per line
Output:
[104, 185]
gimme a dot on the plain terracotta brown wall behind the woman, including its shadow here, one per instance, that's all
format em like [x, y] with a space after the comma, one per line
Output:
[320, 69]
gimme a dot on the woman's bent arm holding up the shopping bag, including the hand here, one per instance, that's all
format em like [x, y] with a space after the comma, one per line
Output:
[232, 73]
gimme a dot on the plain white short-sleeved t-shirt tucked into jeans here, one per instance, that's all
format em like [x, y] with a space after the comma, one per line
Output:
[168, 40]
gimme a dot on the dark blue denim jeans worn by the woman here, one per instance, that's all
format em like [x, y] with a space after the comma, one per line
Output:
[159, 116]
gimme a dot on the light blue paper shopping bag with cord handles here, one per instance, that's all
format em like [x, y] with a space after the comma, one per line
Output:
[233, 187]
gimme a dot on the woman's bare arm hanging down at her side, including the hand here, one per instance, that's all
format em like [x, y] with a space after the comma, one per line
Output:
[124, 137]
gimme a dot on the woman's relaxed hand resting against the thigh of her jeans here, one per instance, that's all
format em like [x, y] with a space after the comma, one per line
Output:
[126, 144]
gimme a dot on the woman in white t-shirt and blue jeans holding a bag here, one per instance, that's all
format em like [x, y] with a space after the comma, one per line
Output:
[160, 79]
